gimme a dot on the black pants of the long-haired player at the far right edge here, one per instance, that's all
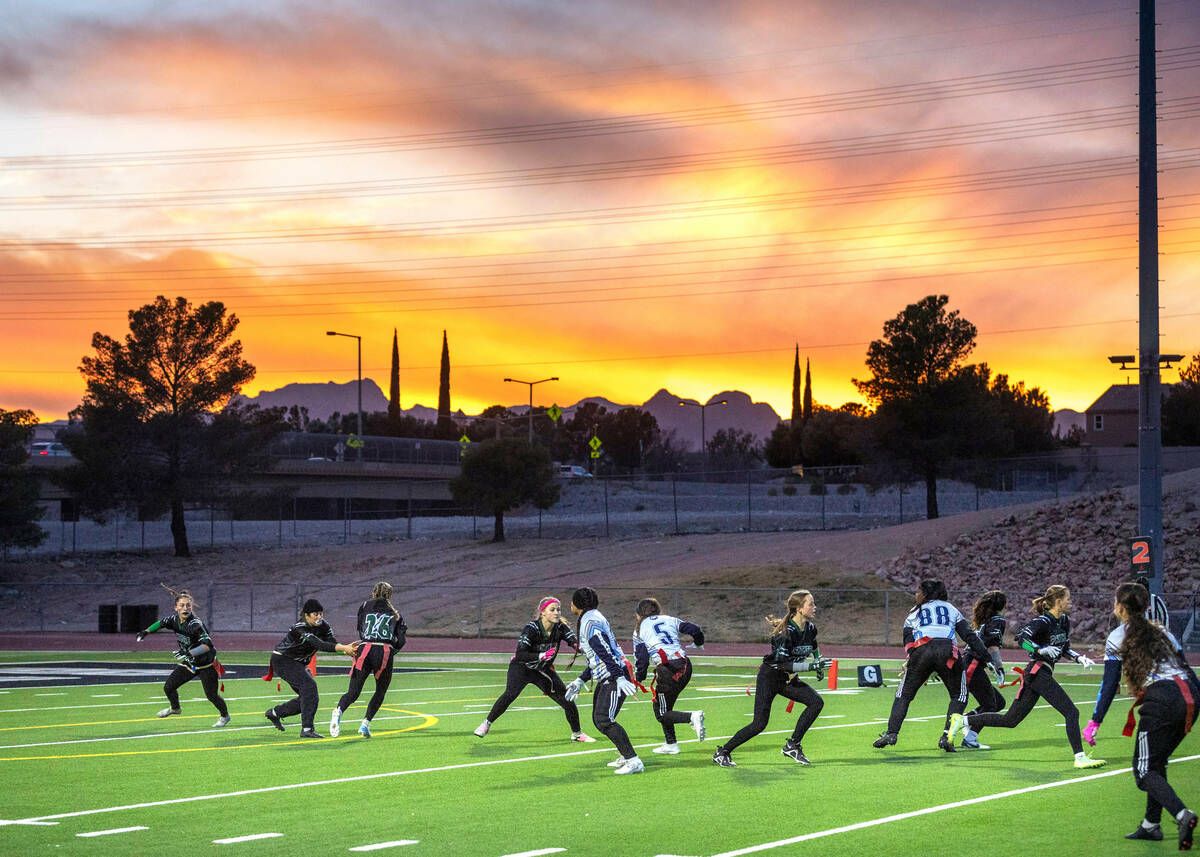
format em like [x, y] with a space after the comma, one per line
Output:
[1161, 729]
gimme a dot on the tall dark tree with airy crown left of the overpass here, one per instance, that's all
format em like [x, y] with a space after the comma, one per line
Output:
[148, 401]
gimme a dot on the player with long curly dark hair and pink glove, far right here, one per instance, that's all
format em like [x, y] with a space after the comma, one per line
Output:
[1157, 674]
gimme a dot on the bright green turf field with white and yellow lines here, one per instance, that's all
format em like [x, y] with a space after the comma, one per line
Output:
[95, 760]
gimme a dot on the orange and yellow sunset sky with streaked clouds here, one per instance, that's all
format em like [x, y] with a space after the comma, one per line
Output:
[628, 195]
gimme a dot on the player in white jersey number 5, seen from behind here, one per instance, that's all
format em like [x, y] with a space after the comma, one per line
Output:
[657, 643]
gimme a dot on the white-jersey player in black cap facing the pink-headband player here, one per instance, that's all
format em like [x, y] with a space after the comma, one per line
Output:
[609, 668]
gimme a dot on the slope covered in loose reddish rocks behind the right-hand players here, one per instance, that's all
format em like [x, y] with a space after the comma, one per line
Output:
[1083, 543]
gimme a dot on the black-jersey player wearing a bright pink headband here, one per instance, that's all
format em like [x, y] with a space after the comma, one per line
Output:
[535, 664]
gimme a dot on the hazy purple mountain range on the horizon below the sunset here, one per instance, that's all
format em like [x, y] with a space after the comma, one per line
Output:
[741, 412]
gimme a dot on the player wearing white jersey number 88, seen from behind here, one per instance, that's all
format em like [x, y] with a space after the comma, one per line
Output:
[929, 643]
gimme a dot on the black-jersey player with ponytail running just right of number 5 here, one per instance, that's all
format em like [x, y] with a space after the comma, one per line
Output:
[794, 650]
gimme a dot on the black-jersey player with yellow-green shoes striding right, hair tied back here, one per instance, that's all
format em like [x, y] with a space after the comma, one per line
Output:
[1047, 638]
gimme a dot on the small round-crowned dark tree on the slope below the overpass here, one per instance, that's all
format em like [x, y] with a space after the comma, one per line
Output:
[499, 476]
